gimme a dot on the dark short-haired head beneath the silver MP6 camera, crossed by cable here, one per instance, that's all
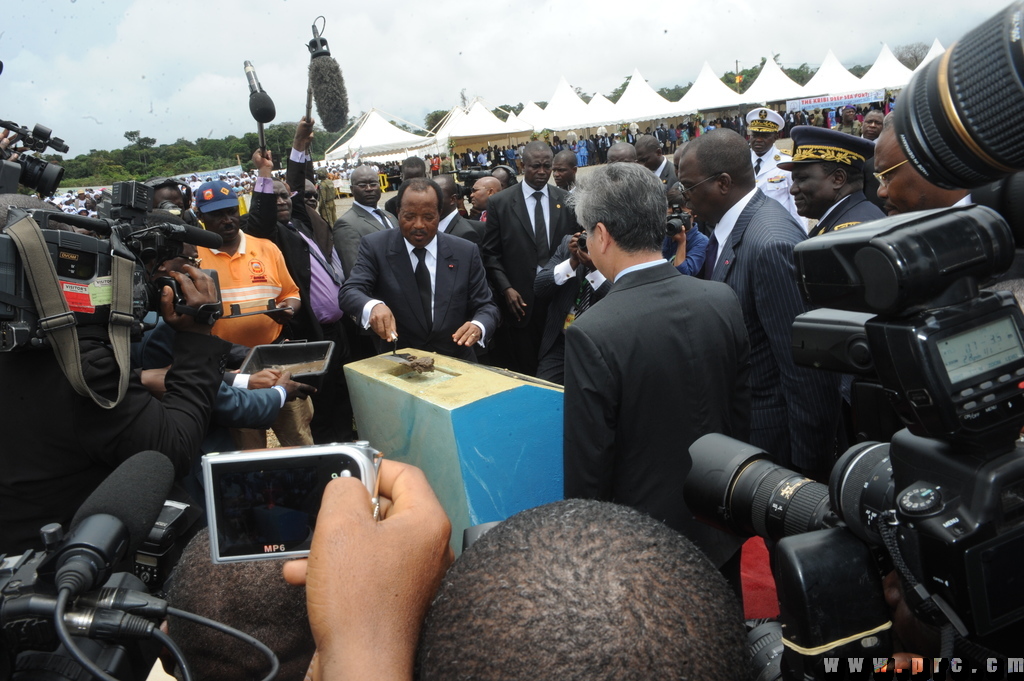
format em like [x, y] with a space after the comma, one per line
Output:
[250, 597]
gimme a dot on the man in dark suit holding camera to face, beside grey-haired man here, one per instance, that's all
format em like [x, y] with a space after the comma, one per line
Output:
[572, 285]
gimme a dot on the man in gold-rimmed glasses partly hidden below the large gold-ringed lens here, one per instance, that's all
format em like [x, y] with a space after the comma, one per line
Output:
[901, 186]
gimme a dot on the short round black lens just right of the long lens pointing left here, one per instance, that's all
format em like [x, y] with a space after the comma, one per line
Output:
[862, 488]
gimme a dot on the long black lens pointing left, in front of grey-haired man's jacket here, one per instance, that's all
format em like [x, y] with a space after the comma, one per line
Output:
[738, 488]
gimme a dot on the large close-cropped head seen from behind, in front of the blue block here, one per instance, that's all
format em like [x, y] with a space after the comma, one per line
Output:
[561, 591]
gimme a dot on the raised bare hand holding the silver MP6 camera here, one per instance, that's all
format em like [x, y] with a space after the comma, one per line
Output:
[369, 584]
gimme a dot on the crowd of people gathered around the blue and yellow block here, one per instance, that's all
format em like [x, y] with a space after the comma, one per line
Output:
[660, 334]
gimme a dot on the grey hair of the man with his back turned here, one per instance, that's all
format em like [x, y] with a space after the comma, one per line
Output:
[628, 200]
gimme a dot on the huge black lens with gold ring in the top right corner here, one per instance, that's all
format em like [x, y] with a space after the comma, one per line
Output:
[952, 118]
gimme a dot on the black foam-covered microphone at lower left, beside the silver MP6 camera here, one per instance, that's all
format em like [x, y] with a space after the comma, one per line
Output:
[115, 521]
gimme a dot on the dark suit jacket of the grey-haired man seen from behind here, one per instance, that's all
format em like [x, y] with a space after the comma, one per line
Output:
[661, 362]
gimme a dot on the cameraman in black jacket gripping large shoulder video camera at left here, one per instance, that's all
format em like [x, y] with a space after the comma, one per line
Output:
[60, 446]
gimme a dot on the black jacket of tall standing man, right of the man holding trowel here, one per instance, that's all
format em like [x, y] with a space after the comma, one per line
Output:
[509, 247]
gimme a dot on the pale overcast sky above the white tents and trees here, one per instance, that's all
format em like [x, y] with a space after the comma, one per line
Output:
[92, 70]
